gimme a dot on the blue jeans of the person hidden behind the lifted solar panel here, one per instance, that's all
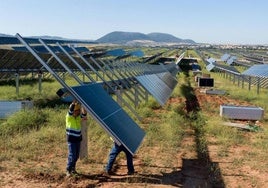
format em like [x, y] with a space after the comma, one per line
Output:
[113, 154]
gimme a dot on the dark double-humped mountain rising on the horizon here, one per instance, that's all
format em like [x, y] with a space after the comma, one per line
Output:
[120, 37]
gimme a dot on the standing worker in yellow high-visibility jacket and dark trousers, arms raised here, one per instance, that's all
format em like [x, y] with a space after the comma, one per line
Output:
[74, 117]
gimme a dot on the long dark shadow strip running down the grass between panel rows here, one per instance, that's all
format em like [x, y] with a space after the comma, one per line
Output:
[200, 172]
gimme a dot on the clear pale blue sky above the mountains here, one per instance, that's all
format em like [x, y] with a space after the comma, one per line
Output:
[204, 21]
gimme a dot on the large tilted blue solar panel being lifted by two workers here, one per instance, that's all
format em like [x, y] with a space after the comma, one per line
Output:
[111, 116]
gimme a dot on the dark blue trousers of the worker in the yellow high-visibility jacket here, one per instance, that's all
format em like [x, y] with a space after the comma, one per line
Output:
[73, 155]
